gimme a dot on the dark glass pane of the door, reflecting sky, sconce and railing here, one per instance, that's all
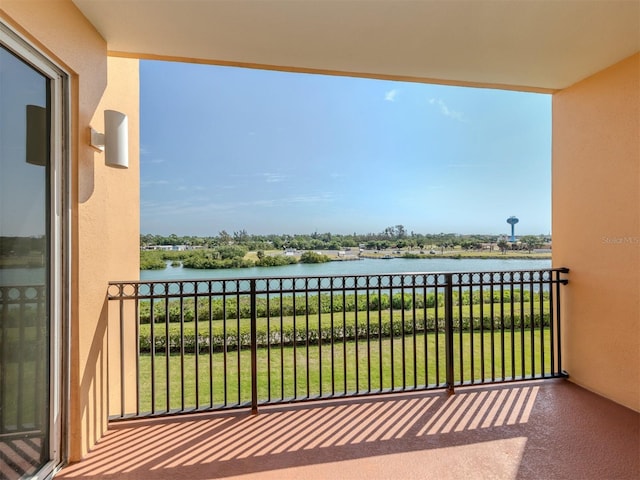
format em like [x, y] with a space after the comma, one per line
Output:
[24, 267]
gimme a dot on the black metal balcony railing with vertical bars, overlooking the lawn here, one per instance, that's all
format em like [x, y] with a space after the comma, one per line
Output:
[230, 343]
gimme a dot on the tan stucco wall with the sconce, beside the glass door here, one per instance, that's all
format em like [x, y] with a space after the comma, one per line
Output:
[105, 201]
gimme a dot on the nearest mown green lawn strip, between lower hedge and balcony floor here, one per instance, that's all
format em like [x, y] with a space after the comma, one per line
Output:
[357, 366]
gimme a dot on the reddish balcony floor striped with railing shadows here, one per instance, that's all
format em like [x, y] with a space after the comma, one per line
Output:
[539, 430]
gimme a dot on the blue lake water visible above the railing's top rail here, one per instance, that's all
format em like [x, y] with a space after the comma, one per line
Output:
[356, 267]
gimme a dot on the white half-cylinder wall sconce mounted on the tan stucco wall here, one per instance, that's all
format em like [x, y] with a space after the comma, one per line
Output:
[115, 139]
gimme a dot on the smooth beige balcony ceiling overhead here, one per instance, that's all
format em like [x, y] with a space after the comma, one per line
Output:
[526, 44]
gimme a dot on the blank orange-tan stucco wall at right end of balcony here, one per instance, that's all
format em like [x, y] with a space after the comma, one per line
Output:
[596, 228]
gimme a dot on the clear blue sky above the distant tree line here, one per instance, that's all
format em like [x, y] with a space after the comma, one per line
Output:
[272, 152]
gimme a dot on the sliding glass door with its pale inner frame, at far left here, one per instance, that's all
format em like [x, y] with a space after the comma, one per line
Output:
[30, 255]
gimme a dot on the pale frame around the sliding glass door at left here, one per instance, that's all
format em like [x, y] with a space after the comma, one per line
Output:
[59, 242]
